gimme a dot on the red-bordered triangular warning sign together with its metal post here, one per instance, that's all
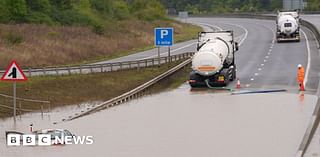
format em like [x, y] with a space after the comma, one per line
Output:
[14, 74]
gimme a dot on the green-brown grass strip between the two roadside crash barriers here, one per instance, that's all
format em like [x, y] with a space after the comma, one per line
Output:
[77, 88]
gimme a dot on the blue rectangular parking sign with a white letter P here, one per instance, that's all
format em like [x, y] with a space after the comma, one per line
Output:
[163, 36]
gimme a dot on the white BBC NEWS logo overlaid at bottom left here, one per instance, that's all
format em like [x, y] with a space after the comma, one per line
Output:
[46, 140]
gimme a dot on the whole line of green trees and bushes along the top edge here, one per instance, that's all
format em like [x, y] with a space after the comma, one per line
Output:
[97, 13]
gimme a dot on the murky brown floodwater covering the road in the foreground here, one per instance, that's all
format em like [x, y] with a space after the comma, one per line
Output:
[182, 123]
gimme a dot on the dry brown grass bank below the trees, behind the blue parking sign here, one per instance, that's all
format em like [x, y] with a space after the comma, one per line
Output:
[36, 45]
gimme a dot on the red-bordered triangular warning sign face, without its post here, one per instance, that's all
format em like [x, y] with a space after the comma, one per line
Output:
[14, 73]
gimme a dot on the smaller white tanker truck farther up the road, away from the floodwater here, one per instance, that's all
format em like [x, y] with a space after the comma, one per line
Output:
[288, 28]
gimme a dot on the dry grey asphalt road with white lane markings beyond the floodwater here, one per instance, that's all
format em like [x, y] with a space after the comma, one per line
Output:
[261, 62]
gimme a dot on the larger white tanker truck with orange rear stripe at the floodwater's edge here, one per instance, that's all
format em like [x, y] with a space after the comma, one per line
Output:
[213, 64]
